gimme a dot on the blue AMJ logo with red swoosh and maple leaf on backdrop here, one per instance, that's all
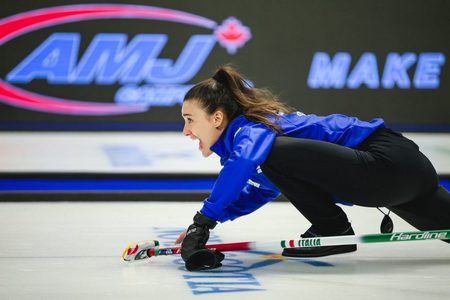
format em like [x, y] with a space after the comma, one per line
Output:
[111, 59]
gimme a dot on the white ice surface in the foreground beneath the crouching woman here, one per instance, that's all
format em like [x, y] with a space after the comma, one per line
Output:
[73, 251]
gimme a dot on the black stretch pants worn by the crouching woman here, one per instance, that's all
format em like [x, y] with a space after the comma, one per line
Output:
[386, 170]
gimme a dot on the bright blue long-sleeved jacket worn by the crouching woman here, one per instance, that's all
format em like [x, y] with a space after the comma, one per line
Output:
[241, 187]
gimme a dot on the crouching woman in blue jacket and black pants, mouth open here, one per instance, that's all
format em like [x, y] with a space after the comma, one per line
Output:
[266, 148]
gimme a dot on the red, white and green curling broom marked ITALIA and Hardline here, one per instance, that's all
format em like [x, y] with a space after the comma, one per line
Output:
[146, 249]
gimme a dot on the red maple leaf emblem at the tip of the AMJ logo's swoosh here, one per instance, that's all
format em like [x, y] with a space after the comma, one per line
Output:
[232, 35]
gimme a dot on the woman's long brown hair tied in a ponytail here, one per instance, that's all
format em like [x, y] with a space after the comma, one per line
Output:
[229, 91]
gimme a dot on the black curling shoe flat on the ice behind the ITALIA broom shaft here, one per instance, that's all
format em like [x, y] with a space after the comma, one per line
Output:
[320, 251]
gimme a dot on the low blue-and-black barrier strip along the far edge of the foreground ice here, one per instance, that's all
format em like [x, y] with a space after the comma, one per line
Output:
[28, 187]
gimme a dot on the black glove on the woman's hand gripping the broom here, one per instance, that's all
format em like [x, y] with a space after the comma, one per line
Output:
[193, 251]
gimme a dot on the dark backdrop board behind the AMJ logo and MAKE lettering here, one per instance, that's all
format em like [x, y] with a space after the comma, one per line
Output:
[285, 36]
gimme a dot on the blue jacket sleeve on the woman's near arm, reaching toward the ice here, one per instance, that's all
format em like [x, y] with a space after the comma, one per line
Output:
[251, 147]
